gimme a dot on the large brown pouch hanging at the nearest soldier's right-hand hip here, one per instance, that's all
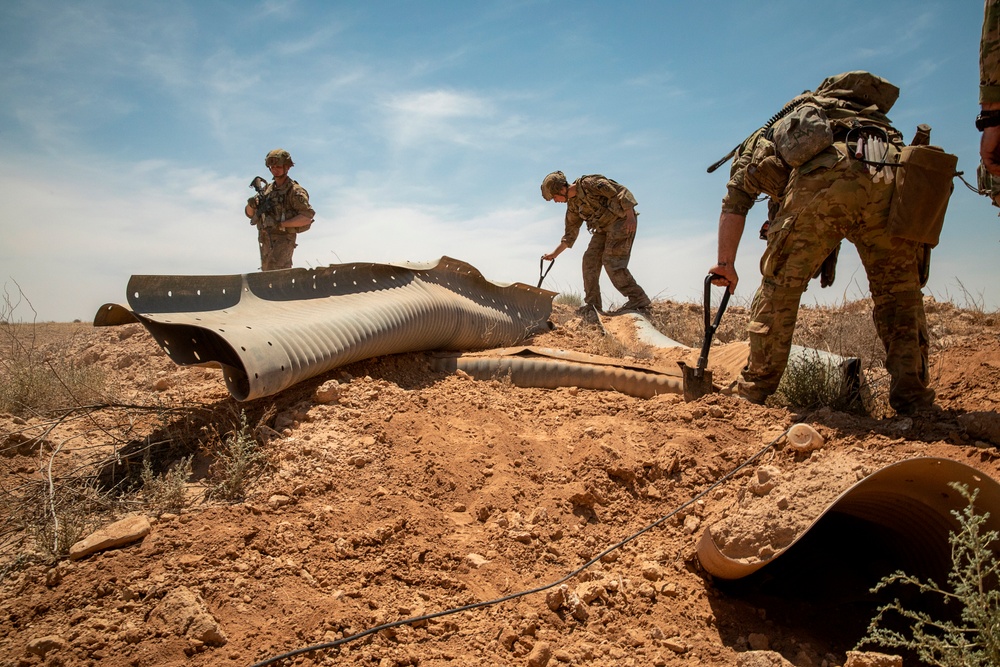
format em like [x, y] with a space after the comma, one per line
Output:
[924, 183]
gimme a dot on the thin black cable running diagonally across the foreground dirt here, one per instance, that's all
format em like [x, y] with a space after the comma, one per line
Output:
[512, 596]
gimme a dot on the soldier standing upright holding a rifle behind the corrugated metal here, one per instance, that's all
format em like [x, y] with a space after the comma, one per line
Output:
[280, 212]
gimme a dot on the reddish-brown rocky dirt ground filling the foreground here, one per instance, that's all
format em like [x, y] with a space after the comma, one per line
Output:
[405, 491]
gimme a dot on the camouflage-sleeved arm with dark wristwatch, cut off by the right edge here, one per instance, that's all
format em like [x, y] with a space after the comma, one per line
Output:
[989, 88]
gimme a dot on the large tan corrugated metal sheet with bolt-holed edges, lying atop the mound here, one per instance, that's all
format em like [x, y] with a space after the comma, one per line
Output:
[272, 330]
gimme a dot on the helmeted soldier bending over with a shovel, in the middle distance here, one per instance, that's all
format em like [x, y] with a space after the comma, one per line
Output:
[609, 211]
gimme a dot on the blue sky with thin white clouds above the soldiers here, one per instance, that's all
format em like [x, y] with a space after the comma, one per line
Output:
[131, 130]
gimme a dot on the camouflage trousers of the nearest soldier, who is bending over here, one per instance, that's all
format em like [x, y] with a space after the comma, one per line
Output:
[819, 210]
